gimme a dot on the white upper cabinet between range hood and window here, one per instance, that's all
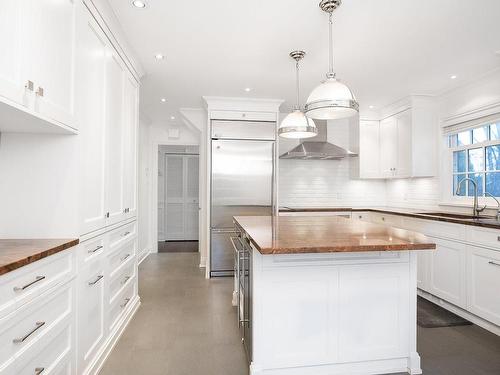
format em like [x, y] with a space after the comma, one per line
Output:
[407, 138]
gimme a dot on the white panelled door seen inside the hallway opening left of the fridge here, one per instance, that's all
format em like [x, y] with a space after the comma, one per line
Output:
[181, 186]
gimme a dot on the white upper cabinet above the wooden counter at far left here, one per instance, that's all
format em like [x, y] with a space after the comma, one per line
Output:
[37, 67]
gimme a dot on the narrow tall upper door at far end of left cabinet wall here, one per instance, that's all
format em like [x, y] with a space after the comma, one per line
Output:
[130, 122]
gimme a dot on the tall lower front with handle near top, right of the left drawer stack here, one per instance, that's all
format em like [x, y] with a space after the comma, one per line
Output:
[91, 313]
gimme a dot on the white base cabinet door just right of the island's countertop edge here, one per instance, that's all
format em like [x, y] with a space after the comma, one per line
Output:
[447, 276]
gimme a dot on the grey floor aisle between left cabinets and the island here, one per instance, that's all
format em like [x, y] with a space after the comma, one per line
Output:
[185, 325]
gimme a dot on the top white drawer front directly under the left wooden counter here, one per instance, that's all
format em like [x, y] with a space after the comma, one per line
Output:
[25, 284]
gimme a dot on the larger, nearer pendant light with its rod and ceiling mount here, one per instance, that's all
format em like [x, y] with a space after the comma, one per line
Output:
[331, 99]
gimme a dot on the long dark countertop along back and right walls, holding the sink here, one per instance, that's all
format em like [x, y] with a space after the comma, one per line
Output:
[489, 222]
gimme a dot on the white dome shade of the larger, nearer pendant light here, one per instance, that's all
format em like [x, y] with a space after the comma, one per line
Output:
[331, 100]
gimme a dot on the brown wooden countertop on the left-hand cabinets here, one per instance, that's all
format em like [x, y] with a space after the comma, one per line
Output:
[16, 253]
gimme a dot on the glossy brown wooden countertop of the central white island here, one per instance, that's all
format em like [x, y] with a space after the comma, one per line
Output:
[326, 234]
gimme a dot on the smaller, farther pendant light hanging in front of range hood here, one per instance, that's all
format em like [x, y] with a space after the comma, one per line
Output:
[296, 124]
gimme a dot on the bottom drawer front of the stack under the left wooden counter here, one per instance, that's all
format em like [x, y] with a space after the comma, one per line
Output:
[52, 356]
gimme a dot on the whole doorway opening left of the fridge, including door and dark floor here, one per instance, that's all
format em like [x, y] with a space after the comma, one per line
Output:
[178, 198]
